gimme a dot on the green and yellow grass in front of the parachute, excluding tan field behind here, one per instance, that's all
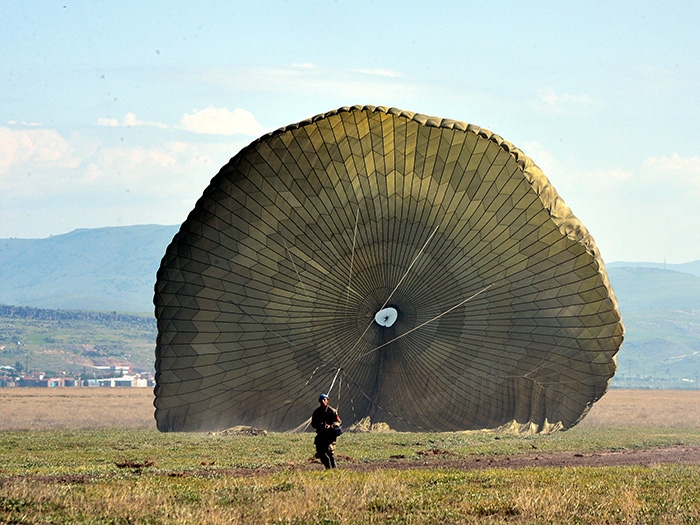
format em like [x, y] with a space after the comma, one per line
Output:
[111, 476]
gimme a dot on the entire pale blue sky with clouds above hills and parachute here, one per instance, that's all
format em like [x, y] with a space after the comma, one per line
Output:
[119, 113]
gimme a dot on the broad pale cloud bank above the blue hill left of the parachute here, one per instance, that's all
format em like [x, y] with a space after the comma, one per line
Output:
[112, 183]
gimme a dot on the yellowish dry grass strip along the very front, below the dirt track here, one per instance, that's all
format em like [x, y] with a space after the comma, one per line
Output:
[610, 495]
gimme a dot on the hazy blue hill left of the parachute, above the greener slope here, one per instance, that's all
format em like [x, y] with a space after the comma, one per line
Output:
[109, 269]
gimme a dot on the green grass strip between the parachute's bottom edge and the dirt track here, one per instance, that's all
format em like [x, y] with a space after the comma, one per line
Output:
[97, 451]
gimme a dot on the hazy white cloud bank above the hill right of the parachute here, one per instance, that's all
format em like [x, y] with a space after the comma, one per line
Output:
[638, 212]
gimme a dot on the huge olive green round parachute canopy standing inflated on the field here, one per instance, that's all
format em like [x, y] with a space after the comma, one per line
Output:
[422, 271]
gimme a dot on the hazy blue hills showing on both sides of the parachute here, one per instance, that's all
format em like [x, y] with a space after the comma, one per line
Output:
[114, 269]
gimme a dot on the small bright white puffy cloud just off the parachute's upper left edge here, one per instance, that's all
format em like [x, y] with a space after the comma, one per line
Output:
[221, 121]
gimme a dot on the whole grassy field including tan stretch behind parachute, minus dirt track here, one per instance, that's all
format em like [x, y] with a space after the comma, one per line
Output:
[68, 467]
